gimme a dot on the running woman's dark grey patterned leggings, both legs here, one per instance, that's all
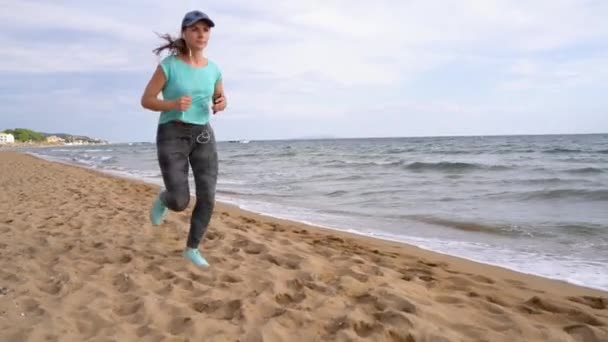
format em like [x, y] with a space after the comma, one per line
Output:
[179, 144]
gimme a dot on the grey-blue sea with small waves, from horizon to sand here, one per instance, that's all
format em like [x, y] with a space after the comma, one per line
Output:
[535, 204]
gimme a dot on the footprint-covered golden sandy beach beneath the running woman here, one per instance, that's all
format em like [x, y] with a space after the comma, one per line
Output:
[79, 261]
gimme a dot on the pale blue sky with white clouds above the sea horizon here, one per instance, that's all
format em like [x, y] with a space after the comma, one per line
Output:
[297, 69]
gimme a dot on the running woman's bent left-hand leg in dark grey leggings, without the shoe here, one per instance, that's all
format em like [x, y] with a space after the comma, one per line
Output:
[173, 142]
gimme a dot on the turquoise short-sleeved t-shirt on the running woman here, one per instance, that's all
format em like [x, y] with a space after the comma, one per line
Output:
[184, 79]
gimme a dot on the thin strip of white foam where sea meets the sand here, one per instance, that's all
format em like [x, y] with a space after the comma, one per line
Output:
[345, 230]
